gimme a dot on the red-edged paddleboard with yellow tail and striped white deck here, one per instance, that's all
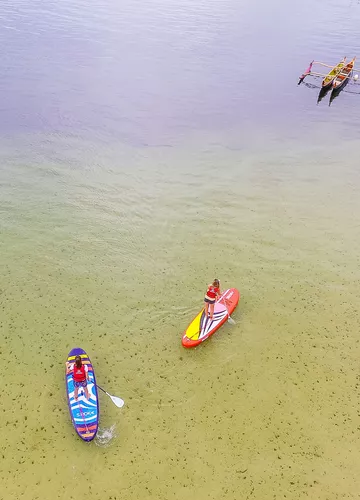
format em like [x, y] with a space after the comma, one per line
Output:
[202, 327]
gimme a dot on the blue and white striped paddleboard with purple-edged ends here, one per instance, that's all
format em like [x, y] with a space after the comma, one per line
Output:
[84, 413]
